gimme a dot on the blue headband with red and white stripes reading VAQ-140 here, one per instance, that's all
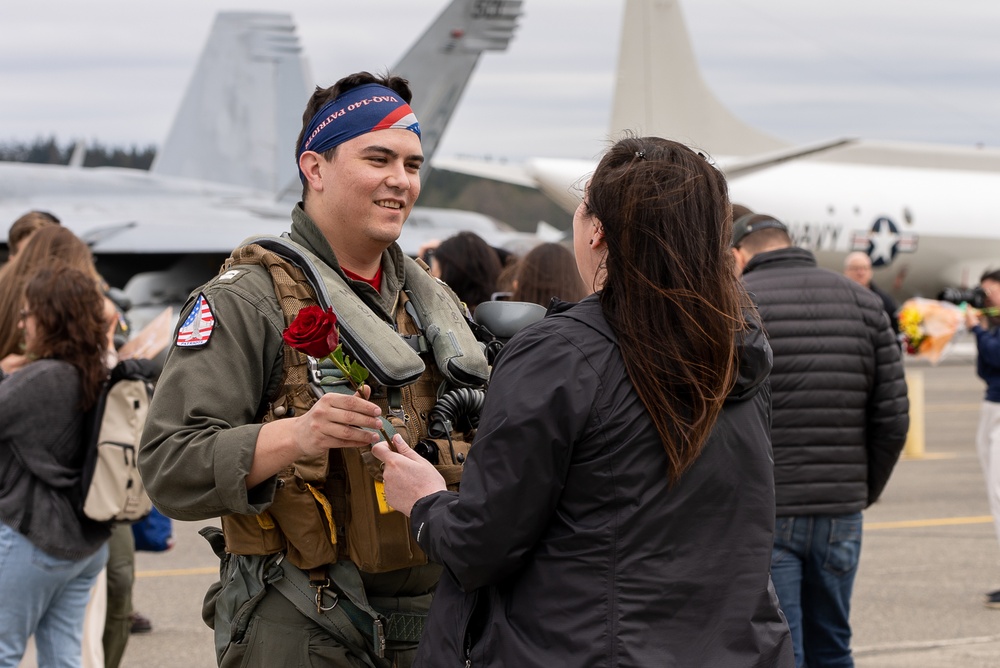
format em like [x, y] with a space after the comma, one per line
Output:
[356, 112]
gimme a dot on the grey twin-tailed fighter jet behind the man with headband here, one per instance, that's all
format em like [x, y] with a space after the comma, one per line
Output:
[227, 168]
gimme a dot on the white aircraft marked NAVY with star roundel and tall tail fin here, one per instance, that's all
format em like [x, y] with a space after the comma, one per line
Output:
[924, 213]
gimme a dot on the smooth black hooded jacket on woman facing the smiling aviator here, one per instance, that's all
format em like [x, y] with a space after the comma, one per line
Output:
[567, 547]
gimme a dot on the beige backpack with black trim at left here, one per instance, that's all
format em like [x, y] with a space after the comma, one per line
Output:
[112, 490]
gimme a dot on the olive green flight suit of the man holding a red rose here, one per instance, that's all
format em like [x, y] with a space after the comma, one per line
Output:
[199, 441]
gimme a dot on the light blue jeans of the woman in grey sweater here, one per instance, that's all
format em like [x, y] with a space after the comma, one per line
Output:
[44, 596]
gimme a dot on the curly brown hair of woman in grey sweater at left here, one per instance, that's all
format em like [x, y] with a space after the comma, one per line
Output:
[69, 312]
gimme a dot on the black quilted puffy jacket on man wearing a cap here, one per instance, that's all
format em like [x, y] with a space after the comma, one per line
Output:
[838, 391]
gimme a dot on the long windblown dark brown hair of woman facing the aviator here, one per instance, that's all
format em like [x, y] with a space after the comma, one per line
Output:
[670, 293]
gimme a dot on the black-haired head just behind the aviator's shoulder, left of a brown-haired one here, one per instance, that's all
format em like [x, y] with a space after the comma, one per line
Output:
[469, 266]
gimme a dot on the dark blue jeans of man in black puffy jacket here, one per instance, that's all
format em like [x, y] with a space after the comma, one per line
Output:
[813, 564]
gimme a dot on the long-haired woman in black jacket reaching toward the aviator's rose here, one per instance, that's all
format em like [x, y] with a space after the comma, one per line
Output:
[624, 518]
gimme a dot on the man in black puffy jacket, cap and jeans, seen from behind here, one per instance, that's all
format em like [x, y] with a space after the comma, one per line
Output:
[839, 422]
